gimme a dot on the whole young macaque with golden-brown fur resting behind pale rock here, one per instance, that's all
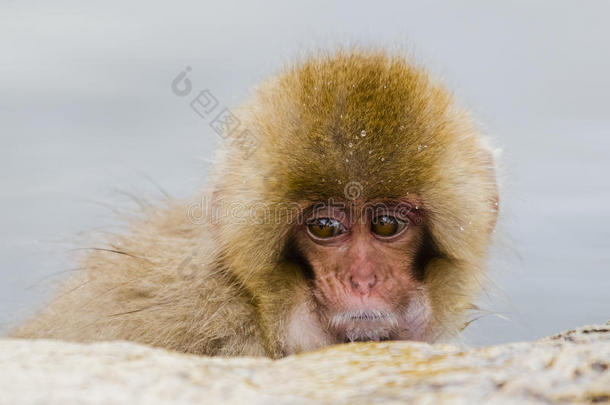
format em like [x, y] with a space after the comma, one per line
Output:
[362, 212]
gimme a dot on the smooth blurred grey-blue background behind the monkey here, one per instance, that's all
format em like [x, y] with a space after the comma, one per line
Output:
[87, 118]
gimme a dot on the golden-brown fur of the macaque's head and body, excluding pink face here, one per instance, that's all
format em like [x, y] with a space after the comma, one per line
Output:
[225, 286]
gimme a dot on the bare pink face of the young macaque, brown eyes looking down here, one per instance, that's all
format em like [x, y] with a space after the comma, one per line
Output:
[363, 260]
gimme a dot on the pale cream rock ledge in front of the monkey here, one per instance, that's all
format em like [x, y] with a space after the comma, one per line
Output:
[572, 367]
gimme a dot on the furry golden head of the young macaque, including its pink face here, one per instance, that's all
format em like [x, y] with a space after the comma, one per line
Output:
[365, 210]
